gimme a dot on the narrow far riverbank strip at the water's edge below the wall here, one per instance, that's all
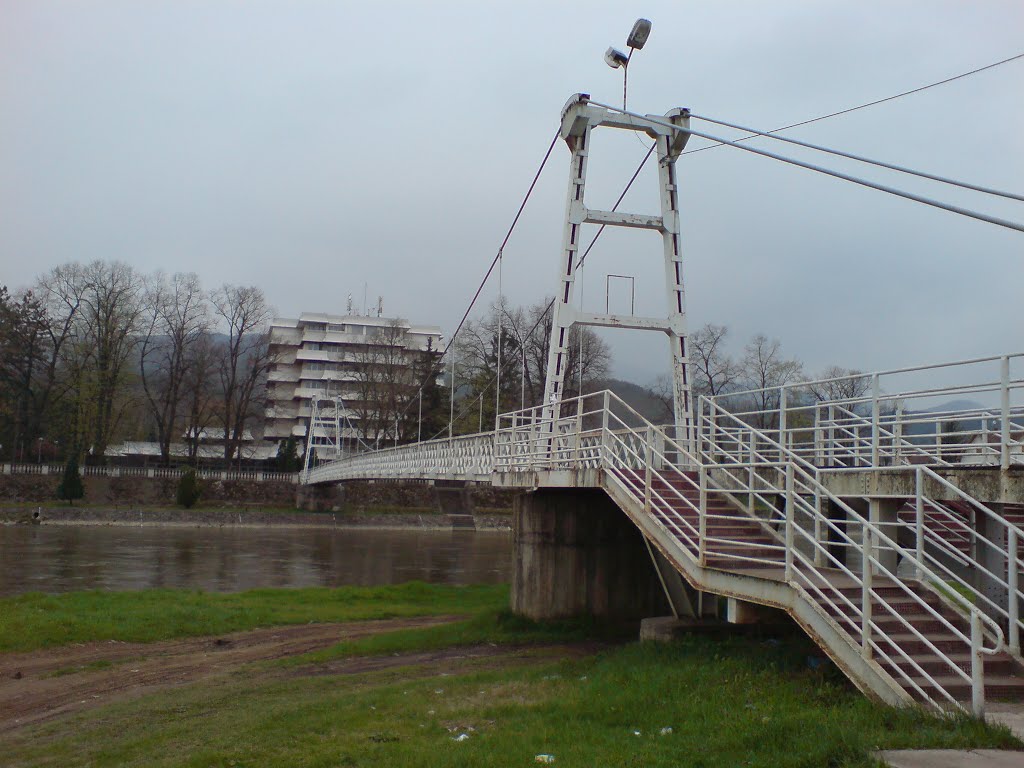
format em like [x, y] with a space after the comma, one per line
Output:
[245, 517]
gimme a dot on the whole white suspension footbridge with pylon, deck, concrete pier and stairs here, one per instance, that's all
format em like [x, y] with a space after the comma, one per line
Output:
[886, 524]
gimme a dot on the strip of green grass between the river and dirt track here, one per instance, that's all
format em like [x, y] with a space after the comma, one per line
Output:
[37, 621]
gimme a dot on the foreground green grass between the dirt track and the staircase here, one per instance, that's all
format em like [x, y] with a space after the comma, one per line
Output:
[702, 703]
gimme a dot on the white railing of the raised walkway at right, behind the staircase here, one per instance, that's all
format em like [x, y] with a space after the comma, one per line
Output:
[956, 414]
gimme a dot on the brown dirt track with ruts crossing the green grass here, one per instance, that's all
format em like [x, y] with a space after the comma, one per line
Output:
[46, 685]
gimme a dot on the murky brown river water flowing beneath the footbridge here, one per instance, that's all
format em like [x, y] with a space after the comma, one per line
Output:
[60, 559]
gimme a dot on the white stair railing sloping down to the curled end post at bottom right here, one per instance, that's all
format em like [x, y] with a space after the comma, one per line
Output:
[813, 565]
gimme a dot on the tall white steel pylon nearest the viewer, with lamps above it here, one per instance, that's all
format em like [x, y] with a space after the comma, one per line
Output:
[579, 119]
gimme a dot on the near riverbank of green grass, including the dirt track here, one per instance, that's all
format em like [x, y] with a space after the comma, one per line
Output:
[452, 679]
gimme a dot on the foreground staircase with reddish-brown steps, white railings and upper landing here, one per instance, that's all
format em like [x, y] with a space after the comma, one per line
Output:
[739, 522]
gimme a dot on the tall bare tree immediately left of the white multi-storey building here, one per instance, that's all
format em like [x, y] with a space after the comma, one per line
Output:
[244, 360]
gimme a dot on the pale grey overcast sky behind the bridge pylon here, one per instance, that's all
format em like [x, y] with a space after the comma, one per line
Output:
[315, 148]
